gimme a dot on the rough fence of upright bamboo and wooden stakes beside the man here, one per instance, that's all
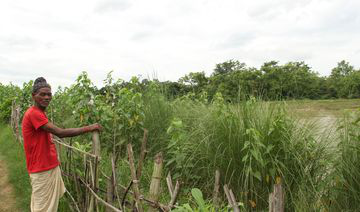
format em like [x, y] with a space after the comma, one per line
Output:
[86, 193]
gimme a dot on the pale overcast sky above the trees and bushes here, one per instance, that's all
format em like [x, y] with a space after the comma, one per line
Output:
[167, 39]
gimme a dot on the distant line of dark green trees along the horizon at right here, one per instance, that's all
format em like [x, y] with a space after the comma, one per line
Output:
[272, 81]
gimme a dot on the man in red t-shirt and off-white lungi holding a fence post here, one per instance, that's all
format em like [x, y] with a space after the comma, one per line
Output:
[41, 156]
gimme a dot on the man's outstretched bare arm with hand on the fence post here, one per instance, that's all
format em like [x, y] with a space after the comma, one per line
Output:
[69, 132]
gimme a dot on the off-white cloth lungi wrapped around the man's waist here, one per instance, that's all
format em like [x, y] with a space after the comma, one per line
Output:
[47, 188]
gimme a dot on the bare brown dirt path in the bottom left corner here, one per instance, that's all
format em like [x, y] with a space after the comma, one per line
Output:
[7, 198]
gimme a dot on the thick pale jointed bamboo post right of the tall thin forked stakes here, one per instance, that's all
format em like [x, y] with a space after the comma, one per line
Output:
[155, 179]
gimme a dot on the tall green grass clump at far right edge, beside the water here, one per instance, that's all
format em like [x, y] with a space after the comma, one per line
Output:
[345, 193]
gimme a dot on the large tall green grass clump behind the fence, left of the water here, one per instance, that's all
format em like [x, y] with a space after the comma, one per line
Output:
[254, 144]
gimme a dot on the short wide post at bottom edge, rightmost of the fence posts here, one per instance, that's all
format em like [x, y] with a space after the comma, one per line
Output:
[276, 199]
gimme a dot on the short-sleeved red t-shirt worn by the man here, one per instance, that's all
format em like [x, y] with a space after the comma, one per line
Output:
[40, 151]
